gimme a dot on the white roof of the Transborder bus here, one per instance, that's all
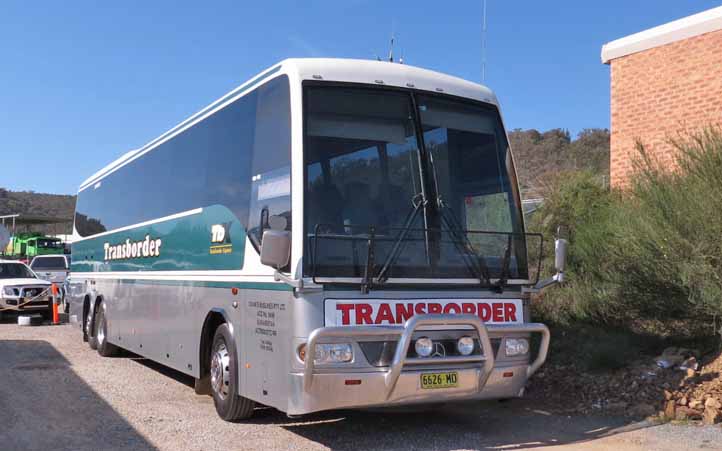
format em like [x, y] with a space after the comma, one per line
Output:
[381, 73]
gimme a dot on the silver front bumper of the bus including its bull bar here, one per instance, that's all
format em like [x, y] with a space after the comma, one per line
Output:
[479, 377]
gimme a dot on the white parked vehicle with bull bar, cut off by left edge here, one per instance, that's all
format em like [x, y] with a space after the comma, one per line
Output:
[21, 290]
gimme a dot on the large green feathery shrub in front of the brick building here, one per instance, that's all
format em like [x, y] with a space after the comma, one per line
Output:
[652, 252]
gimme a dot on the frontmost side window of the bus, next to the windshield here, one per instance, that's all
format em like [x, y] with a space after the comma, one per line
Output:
[271, 162]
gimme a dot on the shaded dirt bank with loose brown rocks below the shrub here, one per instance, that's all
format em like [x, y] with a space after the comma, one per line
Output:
[677, 385]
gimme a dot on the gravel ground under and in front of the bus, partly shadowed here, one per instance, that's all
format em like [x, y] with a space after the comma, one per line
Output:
[57, 394]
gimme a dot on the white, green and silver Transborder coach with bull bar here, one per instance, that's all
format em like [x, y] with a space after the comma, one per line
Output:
[331, 234]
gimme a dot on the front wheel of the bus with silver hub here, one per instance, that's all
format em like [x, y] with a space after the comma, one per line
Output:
[224, 378]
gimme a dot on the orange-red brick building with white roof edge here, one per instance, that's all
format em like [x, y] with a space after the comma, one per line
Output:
[664, 81]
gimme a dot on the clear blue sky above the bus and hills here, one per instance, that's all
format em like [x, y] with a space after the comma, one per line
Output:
[81, 82]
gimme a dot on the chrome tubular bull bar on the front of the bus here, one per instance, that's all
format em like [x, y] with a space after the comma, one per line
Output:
[406, 332]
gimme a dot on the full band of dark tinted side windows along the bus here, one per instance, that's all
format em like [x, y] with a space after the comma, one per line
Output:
[241, 148]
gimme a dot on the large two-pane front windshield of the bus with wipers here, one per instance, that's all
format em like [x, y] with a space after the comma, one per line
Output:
[429, 179]
